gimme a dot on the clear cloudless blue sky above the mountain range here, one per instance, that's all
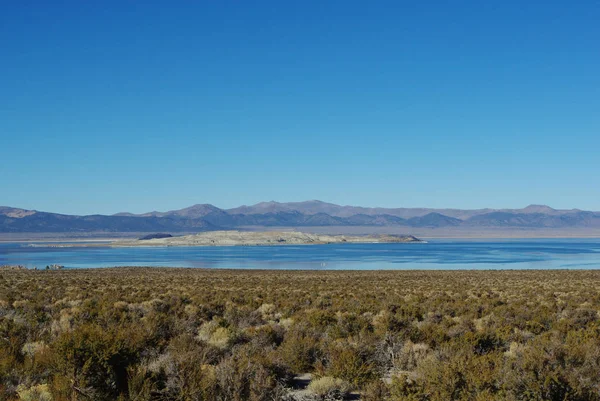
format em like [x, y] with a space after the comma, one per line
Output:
[109, 106]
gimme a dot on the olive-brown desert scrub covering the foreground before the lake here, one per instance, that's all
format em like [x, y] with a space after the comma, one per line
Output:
[189, 334]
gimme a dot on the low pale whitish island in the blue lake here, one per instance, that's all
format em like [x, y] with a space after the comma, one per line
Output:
[250, 238]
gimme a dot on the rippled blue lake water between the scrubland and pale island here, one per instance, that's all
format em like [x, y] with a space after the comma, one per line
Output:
[436, 254]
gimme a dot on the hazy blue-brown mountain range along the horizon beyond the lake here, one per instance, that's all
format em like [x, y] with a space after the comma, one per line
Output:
[310, 214]
